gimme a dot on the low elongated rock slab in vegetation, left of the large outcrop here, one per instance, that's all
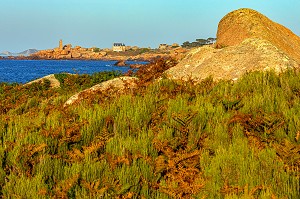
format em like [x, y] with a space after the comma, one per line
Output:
[117, 84]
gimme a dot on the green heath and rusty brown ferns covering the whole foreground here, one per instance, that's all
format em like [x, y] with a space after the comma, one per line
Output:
[165, 139]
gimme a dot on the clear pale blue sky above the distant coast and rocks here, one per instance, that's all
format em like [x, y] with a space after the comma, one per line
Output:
[41, 23]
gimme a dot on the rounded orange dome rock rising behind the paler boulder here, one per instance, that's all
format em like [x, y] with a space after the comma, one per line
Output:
[240, 24]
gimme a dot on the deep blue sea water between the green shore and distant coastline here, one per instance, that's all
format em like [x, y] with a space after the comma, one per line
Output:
[22, 71]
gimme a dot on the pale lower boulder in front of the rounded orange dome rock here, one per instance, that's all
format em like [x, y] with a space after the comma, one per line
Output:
[231, 62]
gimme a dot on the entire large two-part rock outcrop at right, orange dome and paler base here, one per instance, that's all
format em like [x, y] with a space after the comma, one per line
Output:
[246, 41]
